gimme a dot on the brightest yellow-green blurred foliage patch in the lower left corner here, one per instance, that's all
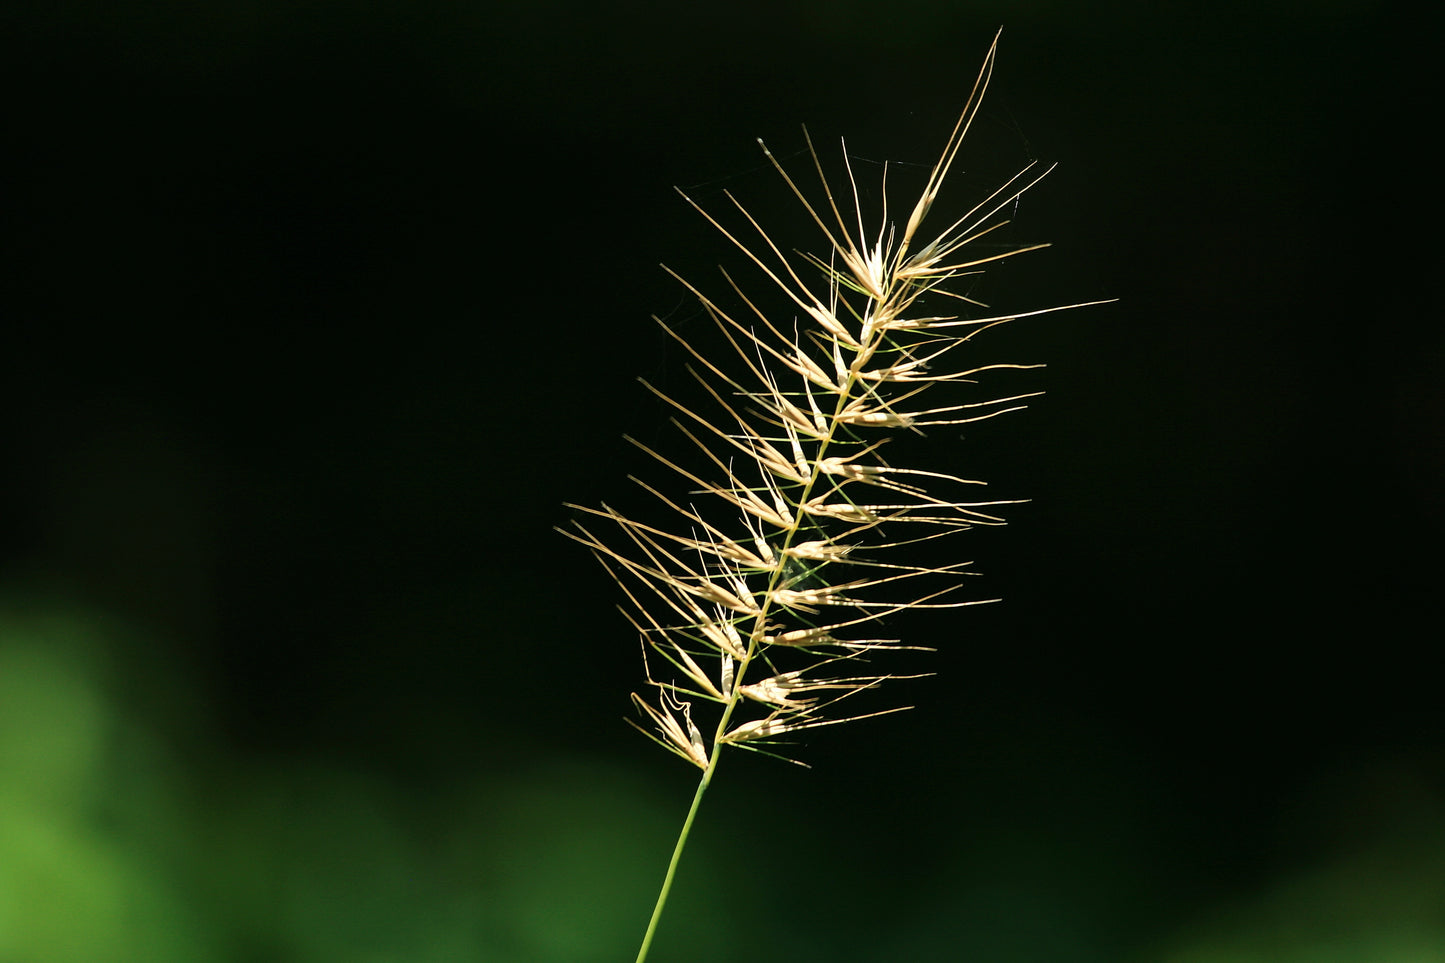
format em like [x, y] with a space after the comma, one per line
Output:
[72, 886]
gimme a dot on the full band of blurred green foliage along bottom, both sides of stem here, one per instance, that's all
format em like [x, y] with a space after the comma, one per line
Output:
[115, 848]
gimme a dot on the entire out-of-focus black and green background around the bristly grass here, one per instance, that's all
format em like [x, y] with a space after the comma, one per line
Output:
[314, 314]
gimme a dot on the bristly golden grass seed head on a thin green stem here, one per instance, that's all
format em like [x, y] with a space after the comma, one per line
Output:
[761, 601]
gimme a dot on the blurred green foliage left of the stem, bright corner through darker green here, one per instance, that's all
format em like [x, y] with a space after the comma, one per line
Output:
[112, 849]
